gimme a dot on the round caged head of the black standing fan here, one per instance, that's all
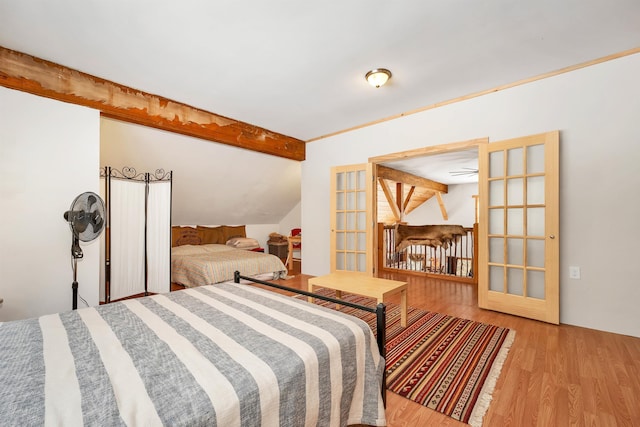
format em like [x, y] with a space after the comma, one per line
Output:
[86, 216]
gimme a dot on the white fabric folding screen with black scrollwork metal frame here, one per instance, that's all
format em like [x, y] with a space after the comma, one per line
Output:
[138, 233]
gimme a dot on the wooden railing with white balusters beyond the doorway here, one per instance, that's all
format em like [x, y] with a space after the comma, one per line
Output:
[456, 262]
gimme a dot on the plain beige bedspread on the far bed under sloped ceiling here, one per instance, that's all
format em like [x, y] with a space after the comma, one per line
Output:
[200, 265]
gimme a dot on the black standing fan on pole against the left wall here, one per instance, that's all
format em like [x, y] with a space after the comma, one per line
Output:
[86, 219]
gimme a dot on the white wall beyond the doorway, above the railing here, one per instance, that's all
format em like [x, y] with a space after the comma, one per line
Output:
[459, 203]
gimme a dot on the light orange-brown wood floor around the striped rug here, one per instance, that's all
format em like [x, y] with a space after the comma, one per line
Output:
[554, 375]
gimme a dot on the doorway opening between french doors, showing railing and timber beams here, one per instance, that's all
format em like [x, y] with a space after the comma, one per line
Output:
[426, 210]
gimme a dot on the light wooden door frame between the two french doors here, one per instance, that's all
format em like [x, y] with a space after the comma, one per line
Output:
[409, 154]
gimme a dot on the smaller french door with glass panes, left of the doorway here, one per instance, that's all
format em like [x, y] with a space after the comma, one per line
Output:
[351, 218]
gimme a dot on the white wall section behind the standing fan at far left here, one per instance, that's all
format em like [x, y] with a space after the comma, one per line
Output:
[49, 154]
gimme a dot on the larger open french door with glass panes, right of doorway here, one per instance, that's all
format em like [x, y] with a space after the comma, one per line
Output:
[518, 229]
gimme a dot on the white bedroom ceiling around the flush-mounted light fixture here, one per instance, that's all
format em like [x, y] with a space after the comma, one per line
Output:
[297, 67]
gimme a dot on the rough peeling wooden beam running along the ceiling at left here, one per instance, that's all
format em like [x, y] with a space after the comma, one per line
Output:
[40, 77]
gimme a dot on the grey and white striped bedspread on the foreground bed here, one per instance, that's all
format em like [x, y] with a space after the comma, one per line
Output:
[225, 355]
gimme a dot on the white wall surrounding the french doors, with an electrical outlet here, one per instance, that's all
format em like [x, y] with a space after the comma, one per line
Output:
[597, 110]
